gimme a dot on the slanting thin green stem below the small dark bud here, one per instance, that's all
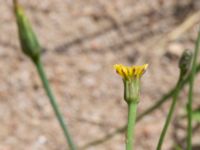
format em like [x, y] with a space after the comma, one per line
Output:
[169, 116]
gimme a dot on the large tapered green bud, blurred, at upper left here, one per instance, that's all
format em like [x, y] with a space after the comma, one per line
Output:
[28, 39]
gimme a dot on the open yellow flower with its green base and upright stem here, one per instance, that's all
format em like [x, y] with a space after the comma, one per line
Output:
[131, 78]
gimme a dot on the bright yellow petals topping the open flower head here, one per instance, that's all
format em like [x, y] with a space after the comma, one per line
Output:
[132, 72]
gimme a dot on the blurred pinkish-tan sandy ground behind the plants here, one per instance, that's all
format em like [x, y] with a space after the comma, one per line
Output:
[82, 40]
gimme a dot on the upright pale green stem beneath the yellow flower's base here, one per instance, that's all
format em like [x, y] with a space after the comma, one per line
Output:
[132, 109]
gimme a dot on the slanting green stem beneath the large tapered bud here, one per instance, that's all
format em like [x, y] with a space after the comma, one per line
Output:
[54, 104]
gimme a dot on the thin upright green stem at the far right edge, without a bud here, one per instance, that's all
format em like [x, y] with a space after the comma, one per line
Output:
[190, 95]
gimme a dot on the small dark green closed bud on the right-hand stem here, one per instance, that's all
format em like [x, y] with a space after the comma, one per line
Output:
[185, 63]
